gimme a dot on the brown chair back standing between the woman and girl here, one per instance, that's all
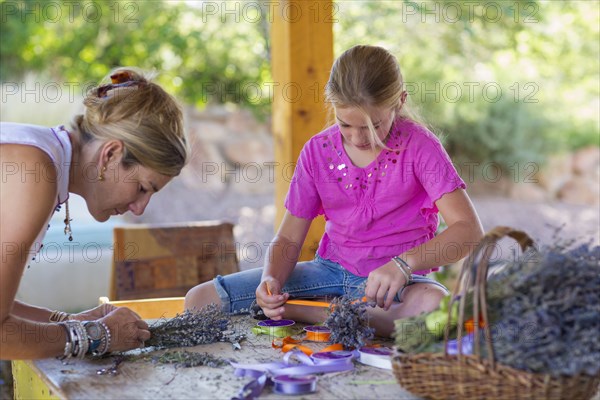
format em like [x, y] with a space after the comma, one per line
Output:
[156, 261]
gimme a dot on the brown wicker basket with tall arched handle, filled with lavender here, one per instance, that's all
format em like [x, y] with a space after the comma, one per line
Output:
[444, 376]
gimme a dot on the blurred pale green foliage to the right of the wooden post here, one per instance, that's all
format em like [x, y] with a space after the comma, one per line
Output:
[542, 56]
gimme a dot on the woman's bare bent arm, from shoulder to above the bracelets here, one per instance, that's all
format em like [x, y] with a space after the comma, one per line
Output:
[28, 197]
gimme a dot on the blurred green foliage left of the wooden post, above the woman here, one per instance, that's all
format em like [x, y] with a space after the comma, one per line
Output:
[201, 57]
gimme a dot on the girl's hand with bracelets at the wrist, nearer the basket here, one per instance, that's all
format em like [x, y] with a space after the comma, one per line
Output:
[384, 283]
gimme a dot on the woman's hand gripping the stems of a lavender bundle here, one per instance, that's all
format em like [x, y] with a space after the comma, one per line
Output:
[127, 330]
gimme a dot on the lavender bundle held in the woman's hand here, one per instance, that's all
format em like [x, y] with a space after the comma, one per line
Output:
[191, 328]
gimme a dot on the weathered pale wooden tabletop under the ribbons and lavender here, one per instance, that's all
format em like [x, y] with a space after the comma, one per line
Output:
[139, 377]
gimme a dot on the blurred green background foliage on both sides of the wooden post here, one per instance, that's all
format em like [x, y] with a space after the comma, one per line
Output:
[502, 81]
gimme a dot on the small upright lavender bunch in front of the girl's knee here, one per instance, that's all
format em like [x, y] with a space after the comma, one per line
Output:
[349, 323]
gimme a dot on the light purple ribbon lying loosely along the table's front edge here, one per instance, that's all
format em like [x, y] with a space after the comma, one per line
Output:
[264, 373]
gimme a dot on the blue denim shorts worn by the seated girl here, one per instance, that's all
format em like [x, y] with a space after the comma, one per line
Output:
[316, 278]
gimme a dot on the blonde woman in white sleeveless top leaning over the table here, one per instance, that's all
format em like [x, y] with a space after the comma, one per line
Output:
[127, 146]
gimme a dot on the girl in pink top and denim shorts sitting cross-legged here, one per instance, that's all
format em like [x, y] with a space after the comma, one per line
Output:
[379, 178]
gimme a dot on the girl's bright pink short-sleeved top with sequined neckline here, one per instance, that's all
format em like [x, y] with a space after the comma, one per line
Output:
[377, 212]
